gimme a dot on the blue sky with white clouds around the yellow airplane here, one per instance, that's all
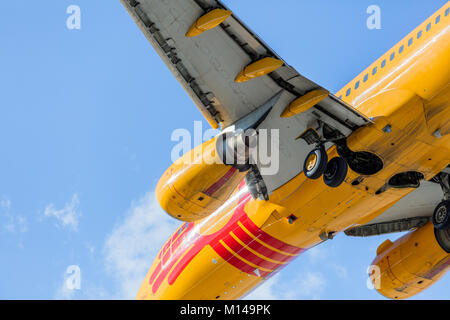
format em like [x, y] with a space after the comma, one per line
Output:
[86, 118]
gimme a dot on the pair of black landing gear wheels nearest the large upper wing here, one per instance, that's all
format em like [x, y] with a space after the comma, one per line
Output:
[317, 165]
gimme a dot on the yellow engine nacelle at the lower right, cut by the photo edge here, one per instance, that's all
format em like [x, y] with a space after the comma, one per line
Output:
[412, 263]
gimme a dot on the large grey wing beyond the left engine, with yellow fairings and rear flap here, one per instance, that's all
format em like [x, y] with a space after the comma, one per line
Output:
[207, 64]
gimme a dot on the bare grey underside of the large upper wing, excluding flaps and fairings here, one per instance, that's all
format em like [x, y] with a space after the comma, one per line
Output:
[207, 65]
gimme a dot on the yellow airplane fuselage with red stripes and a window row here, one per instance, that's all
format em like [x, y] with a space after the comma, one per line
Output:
[226, 254]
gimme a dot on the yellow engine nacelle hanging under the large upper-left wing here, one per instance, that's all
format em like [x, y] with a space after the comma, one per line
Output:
[197, 184]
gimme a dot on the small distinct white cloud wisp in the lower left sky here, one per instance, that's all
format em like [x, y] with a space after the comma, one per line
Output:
[68, 216]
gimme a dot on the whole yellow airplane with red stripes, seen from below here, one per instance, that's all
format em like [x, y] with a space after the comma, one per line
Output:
[371, 159]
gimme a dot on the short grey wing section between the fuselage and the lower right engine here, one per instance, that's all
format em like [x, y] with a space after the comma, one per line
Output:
[413, 211]
